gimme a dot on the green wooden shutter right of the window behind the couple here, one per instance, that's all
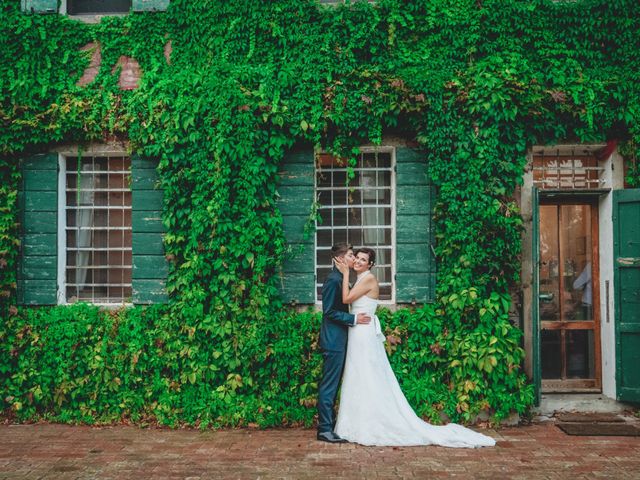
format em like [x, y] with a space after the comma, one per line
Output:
[415, 260]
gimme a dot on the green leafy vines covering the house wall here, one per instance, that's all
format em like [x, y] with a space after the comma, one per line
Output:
[227, 88]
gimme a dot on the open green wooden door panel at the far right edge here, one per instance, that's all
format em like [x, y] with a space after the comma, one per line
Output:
[626, 238]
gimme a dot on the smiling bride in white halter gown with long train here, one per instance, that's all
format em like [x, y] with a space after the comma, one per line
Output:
[373, 410]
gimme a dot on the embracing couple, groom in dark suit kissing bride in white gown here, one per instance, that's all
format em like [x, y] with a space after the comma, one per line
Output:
[373, 410]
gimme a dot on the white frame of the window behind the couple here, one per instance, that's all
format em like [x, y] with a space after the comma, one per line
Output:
[318, 281]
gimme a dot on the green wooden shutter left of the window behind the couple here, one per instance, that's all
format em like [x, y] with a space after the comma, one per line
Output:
[296, 190]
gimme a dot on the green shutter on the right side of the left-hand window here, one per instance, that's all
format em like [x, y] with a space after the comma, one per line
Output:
[150, 266]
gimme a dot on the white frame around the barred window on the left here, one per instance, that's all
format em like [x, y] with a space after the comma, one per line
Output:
[62, 221]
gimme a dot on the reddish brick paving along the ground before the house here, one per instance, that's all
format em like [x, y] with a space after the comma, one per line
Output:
[526, 452]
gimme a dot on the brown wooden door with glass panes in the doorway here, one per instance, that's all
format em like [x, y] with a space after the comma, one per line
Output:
[569, 295]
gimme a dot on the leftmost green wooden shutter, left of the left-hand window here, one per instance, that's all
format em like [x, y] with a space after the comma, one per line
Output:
[37, 275]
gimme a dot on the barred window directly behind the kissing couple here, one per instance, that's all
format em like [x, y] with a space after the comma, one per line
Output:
[360, 212]
